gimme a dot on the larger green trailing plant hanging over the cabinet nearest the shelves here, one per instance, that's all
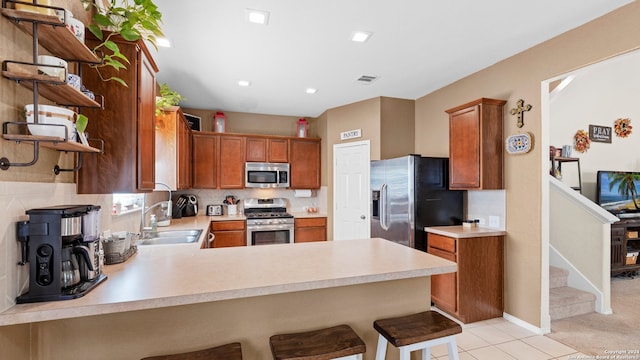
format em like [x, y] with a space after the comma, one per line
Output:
[130, 19]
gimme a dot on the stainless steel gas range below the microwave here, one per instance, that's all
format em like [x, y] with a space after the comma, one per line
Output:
[268, 221]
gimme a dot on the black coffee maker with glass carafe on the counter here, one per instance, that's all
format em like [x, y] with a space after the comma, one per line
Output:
[63, 261]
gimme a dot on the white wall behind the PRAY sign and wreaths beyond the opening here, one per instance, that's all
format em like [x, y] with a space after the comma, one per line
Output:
[598, 95]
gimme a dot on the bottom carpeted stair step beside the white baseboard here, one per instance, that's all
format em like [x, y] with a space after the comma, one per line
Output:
[565, 302]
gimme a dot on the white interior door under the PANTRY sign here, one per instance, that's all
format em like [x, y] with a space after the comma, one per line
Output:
[351, 190]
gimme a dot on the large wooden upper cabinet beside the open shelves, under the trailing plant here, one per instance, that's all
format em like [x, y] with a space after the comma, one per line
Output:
[126, 125]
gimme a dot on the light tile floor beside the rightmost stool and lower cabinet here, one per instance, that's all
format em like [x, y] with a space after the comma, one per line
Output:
[499, 339]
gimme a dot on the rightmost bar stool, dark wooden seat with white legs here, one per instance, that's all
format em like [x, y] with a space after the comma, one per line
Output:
[418, 331]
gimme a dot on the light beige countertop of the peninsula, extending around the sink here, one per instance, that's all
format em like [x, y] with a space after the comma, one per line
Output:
[169, 275]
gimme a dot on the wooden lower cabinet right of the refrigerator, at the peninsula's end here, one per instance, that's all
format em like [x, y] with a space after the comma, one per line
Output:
[476, 291]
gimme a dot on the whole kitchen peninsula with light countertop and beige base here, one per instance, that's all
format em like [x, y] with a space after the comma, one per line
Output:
[175, 298]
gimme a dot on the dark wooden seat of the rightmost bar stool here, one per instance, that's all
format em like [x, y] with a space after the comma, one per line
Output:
[410, 329]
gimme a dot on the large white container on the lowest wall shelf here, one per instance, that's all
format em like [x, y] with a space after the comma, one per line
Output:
[48, 114]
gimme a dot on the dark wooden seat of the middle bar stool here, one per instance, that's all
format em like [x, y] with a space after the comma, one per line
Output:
[338, 342]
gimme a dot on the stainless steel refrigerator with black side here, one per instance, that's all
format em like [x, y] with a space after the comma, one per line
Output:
[409, 193]
